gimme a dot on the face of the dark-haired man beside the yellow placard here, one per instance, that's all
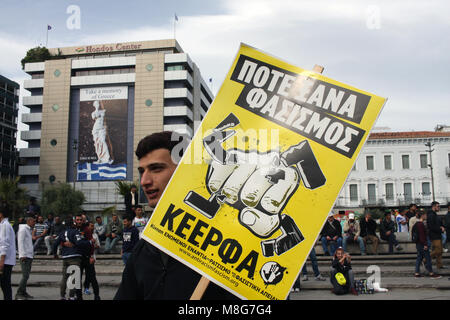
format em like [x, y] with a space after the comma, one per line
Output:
[156, 169]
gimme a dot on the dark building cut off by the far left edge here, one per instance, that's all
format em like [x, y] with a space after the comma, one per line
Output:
[9, 99]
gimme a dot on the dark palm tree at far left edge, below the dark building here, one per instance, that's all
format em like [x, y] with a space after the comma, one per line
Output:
[15, 197]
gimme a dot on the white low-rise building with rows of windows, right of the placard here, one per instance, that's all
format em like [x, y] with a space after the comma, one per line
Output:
[393, 170]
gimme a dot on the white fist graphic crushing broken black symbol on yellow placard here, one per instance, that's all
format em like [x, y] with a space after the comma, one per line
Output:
[259, 185]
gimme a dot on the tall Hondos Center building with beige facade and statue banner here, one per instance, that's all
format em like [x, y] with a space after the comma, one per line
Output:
[91, 105]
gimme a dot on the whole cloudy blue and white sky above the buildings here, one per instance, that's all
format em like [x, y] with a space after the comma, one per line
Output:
[396, 49]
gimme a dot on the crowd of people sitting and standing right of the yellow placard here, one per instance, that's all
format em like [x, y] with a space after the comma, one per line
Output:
[427, 230]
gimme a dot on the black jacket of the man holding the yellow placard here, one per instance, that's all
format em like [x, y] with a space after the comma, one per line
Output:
[150, 274]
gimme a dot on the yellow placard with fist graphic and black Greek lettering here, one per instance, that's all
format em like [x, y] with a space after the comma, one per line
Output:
[256, 184]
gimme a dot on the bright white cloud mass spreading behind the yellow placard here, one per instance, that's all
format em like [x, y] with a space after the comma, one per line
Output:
[405, 59]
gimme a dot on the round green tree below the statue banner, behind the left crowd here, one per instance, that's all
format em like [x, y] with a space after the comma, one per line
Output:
[62, 199]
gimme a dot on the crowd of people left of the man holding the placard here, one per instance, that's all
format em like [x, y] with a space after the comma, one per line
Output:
[76, 240]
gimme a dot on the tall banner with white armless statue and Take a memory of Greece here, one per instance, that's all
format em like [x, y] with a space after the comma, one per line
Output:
[102, 141]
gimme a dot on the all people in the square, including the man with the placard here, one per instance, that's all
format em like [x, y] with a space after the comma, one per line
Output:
[152, 274]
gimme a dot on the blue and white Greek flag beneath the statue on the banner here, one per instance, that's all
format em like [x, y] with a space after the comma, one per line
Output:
[93, 171]
